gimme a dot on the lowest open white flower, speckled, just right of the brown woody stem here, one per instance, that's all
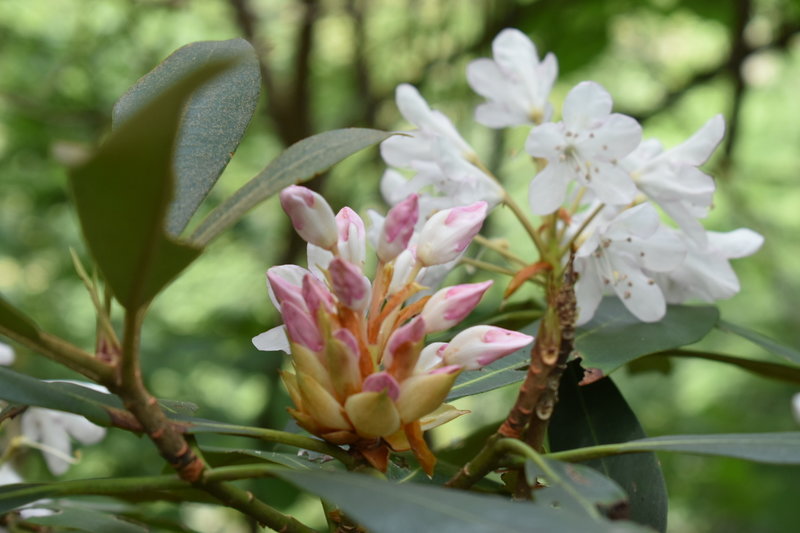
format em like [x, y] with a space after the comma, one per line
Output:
[615, 256]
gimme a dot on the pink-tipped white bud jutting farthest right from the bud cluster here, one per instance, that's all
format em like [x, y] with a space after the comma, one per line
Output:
[478, 346]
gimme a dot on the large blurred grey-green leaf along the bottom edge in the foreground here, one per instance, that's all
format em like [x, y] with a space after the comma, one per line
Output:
[386, 507]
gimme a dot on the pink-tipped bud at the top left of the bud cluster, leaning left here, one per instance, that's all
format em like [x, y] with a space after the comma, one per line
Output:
[311, 216]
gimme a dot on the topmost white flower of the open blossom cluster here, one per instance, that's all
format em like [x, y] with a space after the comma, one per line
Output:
[515, 84]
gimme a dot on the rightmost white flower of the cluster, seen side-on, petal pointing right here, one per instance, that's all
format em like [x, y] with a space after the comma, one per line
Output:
[706, 273]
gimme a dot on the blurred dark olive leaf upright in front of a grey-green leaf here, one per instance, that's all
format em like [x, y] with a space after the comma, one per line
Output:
[123, 192]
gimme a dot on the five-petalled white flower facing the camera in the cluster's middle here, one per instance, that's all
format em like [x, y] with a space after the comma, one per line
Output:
[585, 147]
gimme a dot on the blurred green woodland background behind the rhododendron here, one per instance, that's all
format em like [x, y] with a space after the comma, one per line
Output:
[335, 63]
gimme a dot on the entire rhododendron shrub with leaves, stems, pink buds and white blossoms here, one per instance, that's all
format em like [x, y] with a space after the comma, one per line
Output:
[374, 346]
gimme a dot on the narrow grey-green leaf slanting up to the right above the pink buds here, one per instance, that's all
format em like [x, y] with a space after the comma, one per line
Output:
[300, 162]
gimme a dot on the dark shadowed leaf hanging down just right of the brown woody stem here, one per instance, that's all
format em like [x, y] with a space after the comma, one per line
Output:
[597, 414]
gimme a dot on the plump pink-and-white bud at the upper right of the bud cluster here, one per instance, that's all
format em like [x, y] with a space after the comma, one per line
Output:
[447, 233]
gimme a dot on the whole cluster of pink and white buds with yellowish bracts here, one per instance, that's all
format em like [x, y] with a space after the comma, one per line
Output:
[363, 376]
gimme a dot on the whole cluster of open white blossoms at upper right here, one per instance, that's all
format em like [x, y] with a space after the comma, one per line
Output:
[598, 171]
